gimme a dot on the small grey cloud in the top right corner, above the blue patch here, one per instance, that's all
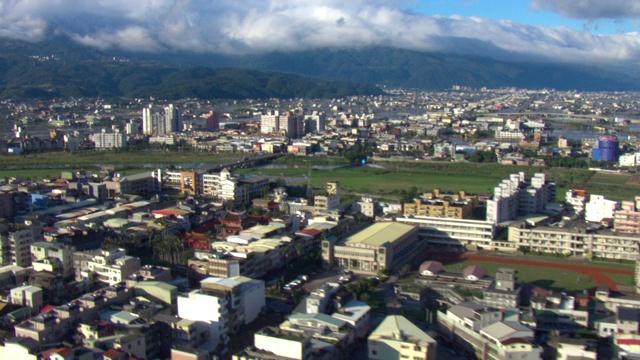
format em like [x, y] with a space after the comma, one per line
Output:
[590, 9]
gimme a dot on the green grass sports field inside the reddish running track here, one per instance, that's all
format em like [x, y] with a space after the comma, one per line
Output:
[550, 279]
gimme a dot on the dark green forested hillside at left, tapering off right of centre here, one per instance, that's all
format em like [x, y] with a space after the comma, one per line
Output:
[75, 71]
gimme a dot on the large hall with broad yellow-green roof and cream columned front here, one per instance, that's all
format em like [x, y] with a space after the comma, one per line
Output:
[385, 245]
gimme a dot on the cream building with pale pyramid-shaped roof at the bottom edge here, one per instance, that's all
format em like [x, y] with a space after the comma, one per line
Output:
[397, 338]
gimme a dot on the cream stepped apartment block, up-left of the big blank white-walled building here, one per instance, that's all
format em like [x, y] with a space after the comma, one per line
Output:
[107, 266]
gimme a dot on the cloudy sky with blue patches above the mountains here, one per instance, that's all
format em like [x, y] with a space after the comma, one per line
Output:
[601, 32]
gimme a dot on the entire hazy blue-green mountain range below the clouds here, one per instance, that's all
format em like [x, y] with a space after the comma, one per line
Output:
[59, 67]
